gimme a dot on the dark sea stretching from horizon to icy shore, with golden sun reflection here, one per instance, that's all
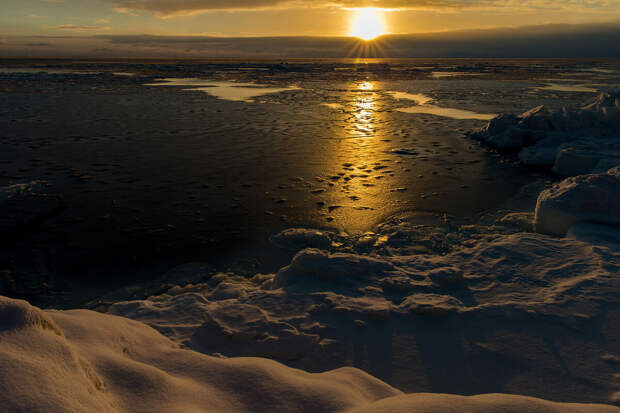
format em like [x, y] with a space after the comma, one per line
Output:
[132, 179]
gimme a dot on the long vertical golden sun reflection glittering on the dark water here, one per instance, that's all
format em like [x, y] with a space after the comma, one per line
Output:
[359, 155]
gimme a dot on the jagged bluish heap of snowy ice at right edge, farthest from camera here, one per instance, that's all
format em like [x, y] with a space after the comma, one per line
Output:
[572, 141]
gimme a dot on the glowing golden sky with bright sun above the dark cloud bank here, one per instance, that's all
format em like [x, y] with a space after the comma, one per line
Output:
[37, 24]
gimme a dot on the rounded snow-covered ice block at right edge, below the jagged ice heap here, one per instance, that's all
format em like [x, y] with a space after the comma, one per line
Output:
[586, 198]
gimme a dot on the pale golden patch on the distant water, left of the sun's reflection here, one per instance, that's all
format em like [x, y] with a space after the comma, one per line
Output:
[241, 92]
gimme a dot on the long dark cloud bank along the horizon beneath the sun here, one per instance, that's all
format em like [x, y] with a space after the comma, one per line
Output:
[559, 41]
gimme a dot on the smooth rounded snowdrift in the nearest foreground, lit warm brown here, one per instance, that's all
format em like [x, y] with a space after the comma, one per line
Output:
[82, 361]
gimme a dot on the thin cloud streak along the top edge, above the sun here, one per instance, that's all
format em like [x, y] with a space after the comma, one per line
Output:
[168, 8]
